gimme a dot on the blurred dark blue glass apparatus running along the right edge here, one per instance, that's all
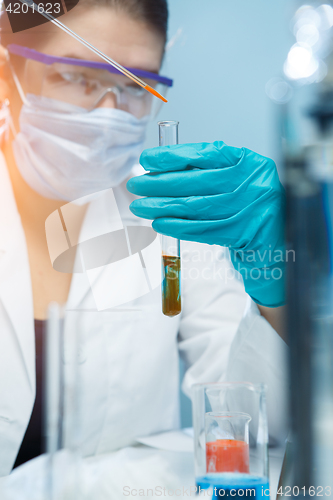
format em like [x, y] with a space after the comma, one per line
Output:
[305, 99]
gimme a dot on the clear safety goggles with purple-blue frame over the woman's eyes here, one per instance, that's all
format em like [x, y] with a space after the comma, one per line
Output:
[86, 84]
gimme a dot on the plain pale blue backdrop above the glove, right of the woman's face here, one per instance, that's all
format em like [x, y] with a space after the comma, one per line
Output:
[225, 53]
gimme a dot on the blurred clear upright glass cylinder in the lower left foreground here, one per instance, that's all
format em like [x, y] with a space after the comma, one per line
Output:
[62, 415]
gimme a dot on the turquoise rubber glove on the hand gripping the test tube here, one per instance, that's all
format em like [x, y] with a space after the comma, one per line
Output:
[216, 194]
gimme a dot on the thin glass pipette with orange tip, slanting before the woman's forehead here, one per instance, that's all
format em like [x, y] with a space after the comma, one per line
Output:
[91, 47]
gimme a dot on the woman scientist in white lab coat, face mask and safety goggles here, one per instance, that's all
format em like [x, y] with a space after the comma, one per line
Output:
[78, 129]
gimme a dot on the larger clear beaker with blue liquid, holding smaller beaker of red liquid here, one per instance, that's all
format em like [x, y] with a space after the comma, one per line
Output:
[231, 435]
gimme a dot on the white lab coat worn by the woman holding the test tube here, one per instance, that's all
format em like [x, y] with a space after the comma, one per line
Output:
[129, 355]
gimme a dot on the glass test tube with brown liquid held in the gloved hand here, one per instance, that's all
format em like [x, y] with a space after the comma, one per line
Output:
[171, 268]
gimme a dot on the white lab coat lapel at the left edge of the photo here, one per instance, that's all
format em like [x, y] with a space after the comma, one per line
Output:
[15, 281]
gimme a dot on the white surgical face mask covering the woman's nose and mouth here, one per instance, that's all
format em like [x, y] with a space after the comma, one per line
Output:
[66, 153]
